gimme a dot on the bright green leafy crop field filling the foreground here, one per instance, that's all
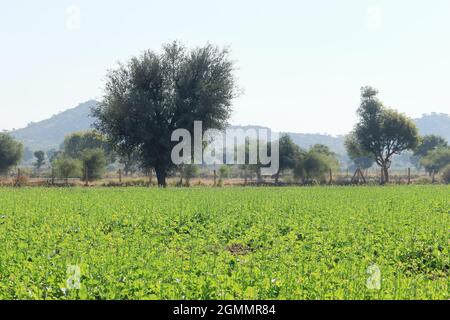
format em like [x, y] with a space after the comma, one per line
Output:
[229, 243]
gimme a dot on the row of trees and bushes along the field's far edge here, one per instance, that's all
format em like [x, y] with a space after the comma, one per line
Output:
[152, 95]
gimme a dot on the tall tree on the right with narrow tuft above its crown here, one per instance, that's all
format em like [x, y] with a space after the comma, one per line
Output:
[383, 132]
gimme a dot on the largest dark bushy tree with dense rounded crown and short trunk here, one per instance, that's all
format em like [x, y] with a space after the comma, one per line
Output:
[154, 94]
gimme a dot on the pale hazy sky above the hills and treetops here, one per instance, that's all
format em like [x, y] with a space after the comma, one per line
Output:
[301, 63]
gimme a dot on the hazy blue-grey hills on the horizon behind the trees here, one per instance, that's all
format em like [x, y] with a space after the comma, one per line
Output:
[50, 133]
